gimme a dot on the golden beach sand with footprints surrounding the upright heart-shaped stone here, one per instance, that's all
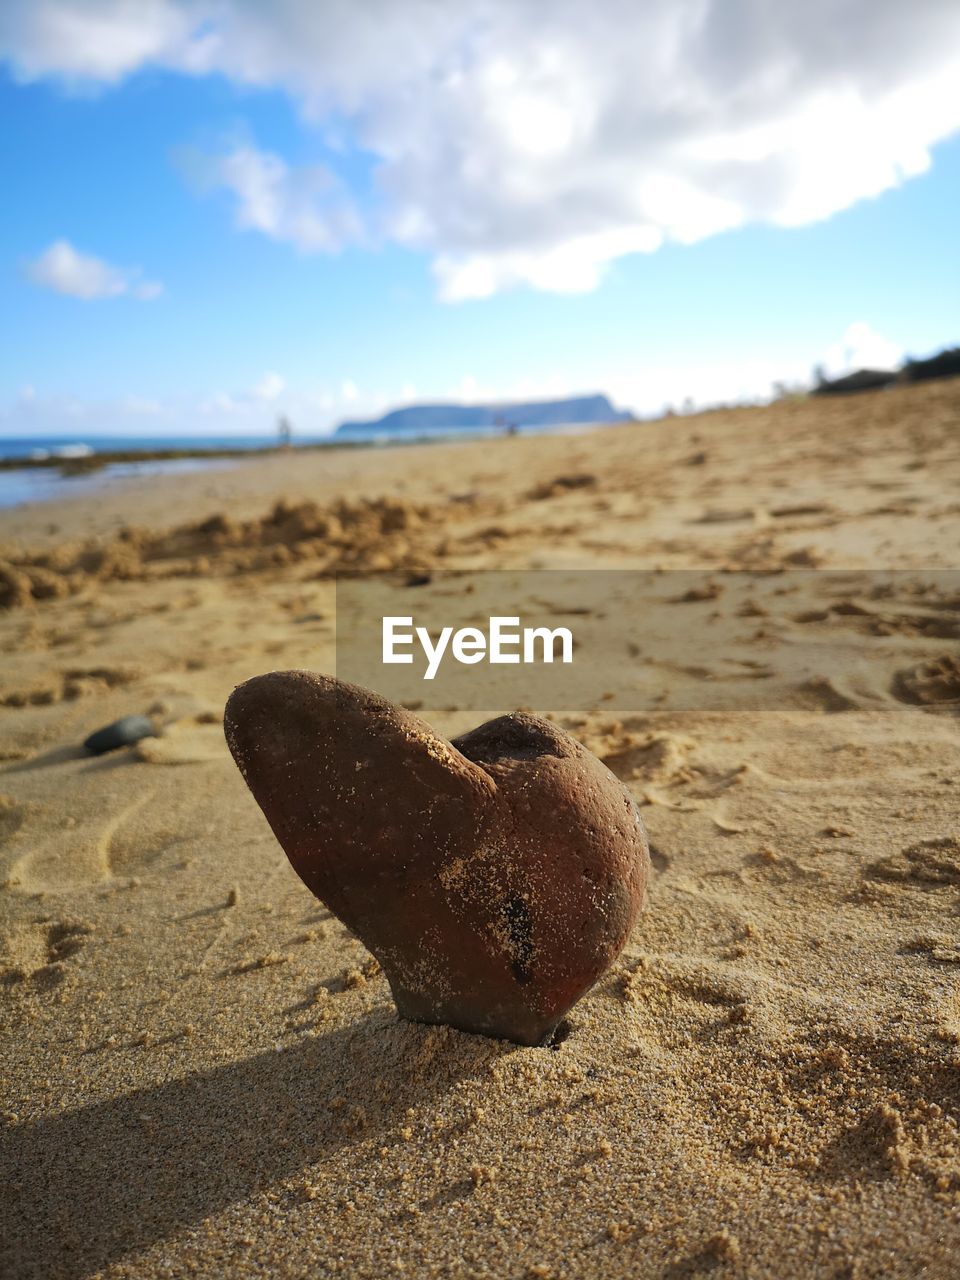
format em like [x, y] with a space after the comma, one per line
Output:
[203, 1072]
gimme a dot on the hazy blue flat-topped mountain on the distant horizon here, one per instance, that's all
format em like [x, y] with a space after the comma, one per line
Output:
[433, 418]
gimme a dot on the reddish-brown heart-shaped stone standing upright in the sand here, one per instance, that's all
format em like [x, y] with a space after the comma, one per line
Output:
[495, 877]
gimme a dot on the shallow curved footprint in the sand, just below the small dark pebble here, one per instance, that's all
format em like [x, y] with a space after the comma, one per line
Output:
[68, 857]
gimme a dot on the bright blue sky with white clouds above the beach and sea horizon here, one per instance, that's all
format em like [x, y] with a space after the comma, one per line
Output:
[205, 226]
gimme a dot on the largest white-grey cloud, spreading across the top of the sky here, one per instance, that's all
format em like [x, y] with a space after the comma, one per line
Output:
[529, 145]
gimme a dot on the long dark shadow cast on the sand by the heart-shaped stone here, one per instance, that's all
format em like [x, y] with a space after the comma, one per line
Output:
[108, 1181]
